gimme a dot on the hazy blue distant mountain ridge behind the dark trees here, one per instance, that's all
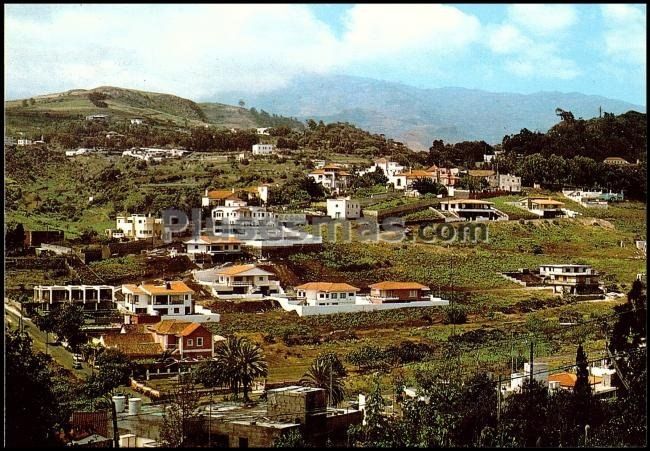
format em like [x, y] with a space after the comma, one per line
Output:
[417, 116]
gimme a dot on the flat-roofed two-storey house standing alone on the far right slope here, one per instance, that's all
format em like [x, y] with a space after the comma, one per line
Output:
[572, 279]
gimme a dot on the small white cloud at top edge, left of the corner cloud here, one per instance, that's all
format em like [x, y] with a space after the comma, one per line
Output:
[543, 19]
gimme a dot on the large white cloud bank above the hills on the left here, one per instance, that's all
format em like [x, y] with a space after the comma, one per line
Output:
[197, 50]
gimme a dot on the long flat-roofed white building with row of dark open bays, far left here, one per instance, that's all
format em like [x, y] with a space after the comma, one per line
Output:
[88, 297]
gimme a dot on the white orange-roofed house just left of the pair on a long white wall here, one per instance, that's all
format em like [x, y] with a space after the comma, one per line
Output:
[244, 281]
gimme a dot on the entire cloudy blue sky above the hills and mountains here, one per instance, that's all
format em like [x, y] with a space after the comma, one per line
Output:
[198, 51]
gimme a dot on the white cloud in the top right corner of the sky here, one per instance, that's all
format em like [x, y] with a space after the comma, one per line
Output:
[625, 35]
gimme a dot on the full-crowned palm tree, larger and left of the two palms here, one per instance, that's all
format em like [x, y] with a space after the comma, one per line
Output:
[242, 362]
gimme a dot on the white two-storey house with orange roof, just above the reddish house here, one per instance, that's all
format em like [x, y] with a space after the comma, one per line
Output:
[169, 299]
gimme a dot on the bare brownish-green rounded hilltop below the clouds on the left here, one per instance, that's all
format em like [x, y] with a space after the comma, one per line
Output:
[29, 115]
